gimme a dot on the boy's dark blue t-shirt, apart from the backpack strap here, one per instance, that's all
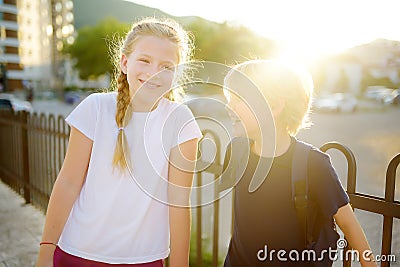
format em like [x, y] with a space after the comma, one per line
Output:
[266, 219]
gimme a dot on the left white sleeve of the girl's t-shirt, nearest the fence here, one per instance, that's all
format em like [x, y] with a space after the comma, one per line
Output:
[84, 116]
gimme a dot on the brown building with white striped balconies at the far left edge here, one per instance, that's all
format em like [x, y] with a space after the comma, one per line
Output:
[11, 70]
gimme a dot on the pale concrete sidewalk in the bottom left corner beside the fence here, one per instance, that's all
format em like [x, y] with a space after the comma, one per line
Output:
[21, 228]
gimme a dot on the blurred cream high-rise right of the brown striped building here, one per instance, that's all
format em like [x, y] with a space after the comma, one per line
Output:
[43, 27]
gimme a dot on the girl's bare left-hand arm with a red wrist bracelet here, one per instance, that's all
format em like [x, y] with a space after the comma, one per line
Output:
[65, 191]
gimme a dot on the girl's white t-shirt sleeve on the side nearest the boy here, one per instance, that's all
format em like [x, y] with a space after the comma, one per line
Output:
[186, 127]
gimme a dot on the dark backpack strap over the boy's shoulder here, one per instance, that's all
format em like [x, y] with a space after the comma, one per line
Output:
[300, 186]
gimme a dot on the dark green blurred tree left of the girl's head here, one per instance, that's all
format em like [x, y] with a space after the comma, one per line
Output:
[91, 50]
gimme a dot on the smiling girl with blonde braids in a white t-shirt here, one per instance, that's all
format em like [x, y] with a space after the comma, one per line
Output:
[130, 154]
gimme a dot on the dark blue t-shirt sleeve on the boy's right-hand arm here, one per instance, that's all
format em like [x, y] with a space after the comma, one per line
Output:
[325, 186]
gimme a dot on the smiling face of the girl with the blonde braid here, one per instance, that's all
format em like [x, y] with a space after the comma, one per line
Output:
[150, 69]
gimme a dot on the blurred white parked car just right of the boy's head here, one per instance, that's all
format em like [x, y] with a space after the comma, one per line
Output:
[338, 102]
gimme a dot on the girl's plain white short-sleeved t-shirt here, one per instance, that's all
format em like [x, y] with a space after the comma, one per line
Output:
[123, 218]
